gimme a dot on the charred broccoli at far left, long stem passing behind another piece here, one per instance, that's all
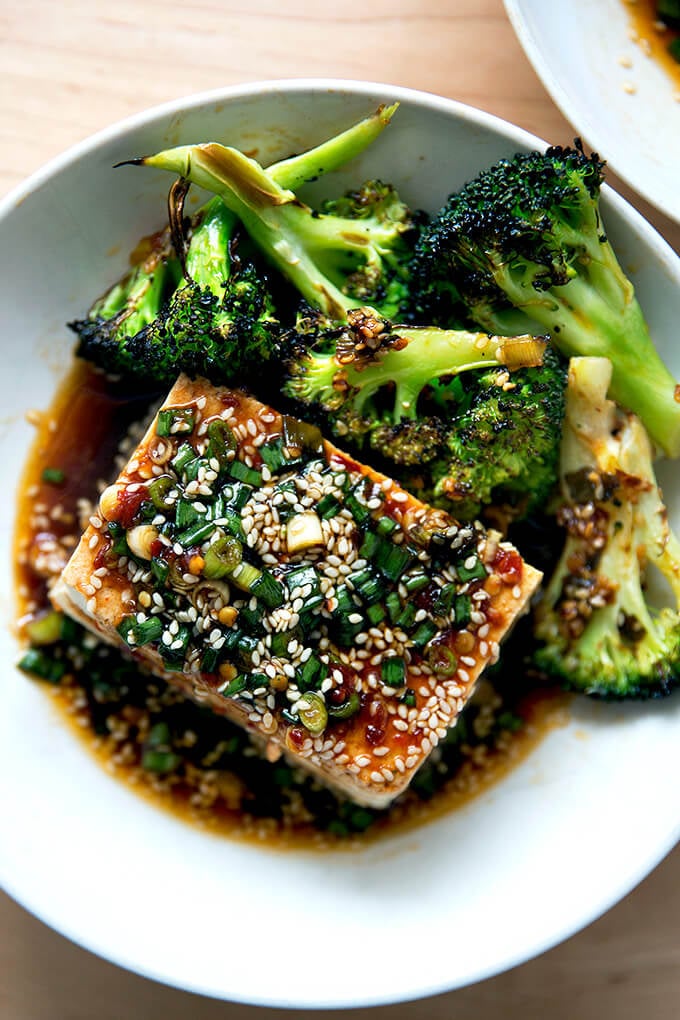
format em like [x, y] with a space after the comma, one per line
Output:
[160, 277]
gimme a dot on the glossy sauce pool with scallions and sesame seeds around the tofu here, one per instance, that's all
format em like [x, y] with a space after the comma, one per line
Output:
[186, 757]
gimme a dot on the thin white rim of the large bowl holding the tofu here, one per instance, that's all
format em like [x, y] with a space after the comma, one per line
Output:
[513, 135]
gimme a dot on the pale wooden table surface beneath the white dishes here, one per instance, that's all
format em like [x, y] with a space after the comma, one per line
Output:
[69, 69]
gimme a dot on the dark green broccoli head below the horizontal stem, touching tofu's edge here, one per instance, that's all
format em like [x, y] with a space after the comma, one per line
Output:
[502, 447]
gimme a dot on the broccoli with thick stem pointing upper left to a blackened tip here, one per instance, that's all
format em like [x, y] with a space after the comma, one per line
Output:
[337, 263]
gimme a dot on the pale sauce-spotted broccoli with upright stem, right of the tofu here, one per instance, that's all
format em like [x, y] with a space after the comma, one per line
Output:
[598, 630]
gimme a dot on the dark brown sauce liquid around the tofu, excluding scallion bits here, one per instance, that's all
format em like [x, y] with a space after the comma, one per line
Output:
[79, 436]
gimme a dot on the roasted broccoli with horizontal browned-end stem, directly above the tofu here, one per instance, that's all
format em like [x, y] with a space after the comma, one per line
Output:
[463, 419]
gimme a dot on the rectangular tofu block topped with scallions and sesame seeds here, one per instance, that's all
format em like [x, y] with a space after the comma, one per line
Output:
[301, 594]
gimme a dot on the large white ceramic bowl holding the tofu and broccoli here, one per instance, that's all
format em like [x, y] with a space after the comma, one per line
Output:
[528, 864]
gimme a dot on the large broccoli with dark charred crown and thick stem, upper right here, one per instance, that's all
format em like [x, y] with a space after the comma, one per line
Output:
[528, 235]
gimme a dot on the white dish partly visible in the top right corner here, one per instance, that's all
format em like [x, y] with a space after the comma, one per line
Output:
[576, 47]
